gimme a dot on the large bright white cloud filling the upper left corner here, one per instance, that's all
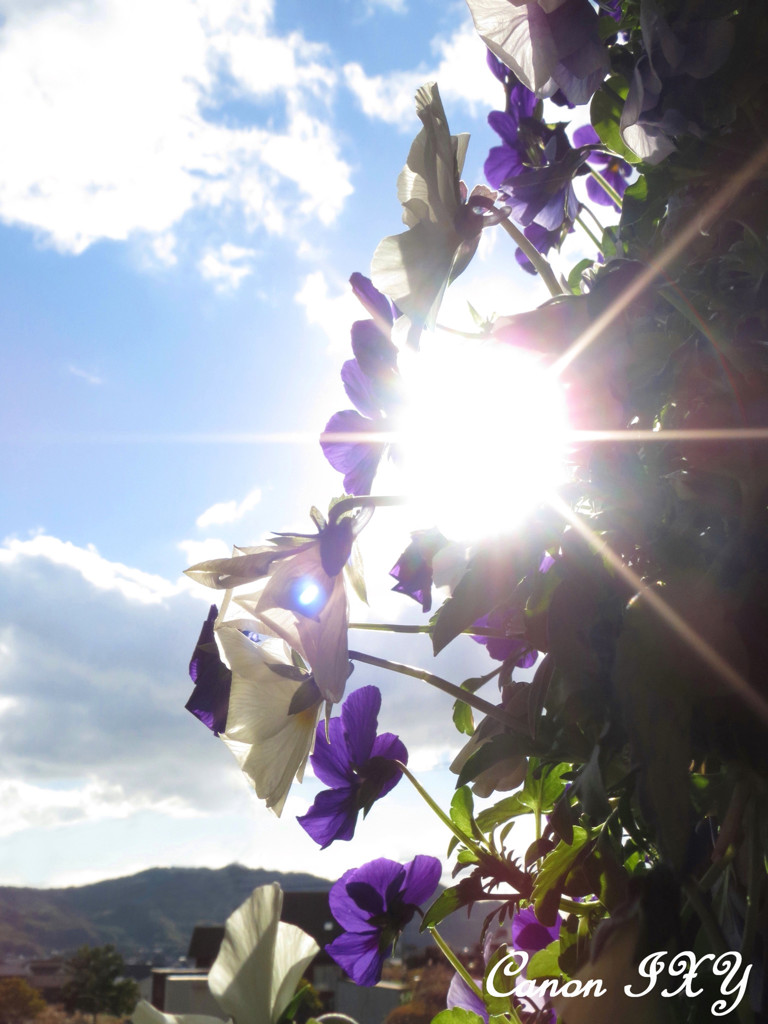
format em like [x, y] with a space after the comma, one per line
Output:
[114, 130]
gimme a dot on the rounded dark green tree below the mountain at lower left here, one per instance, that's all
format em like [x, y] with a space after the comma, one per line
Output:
[96, 986]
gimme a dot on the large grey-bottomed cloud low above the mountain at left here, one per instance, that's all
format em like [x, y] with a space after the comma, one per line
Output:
[96, 665]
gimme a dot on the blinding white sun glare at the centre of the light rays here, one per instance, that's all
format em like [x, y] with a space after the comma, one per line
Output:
[483, 436]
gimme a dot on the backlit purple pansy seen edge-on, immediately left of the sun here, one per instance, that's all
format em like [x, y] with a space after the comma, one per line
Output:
[373, 386]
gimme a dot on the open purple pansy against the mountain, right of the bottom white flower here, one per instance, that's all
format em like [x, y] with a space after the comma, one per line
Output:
[373, 905]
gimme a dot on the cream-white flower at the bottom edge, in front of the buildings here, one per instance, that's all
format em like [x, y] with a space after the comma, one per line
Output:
[259, 967]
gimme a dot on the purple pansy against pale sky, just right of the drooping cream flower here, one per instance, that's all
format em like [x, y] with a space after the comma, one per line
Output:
[356, 764]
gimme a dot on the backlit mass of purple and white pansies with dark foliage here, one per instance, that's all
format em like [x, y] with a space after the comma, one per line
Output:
[617, 697]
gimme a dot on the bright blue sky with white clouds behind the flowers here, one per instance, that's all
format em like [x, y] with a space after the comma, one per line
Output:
[186, 189]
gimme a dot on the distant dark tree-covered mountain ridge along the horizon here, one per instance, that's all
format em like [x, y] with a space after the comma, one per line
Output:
[152, 915]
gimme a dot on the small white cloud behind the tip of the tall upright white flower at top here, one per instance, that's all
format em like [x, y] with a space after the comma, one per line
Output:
[459, 68]
